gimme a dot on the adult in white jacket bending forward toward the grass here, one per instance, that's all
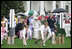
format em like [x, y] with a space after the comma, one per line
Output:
[45, 31]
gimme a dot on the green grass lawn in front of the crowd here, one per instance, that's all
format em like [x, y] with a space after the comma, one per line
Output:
[31, 44]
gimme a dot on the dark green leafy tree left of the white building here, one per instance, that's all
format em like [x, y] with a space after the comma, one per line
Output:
[7, 5]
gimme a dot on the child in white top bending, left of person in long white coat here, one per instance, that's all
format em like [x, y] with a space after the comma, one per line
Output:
[26, 34]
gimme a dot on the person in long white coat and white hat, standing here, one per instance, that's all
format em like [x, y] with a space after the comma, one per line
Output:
[36, 26]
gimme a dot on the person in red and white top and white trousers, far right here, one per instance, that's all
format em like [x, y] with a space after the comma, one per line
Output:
[67, 22]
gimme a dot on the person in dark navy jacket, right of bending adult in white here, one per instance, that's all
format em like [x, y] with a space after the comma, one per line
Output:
[51, 22]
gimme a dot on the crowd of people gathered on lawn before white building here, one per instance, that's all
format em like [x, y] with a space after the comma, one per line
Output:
[38, 27]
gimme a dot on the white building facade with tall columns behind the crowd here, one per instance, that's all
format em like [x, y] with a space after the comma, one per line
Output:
[42, 6]
